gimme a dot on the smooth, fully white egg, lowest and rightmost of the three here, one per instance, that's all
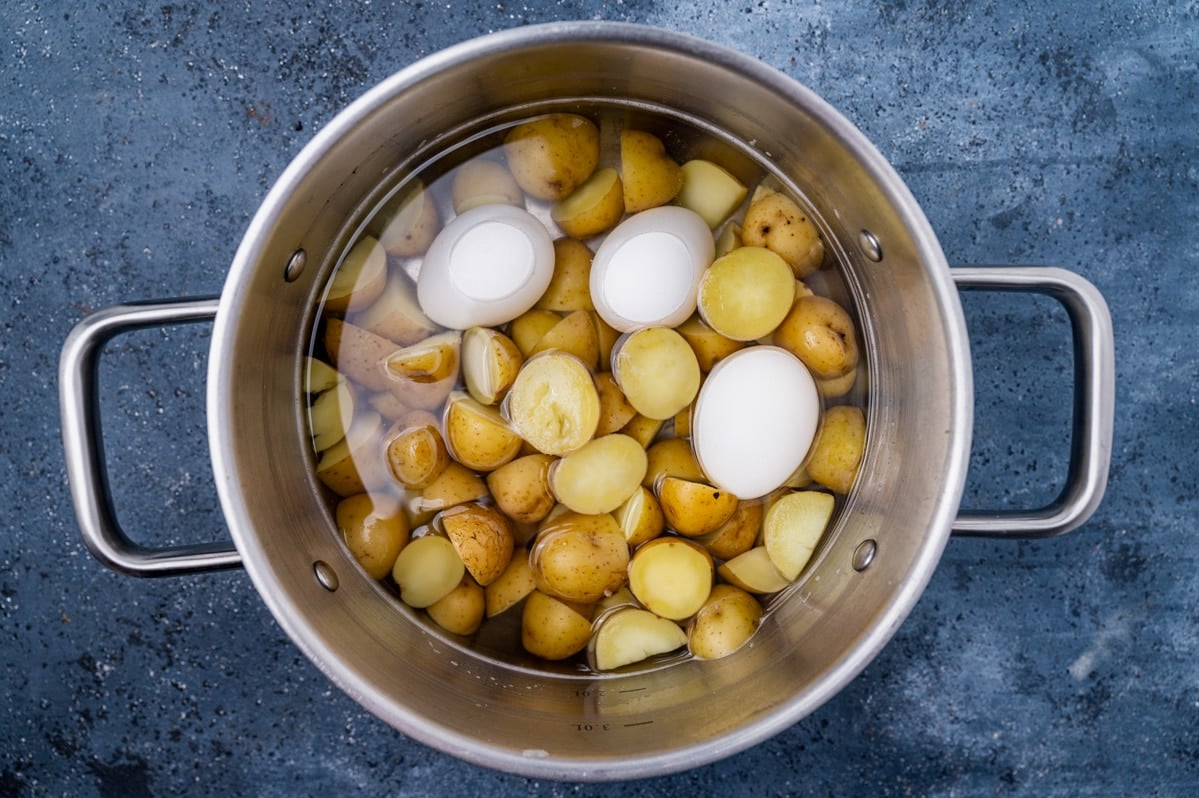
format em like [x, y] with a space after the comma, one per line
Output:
[755, 420]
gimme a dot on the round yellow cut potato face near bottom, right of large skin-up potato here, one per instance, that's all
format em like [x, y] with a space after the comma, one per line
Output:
[671, 577]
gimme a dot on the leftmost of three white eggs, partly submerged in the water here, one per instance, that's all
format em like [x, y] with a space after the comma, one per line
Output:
[486, 268]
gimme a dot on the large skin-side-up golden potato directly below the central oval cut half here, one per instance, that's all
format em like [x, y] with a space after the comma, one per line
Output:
[580, 558]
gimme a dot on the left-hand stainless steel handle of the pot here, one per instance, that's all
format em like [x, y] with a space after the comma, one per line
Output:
[85, 450]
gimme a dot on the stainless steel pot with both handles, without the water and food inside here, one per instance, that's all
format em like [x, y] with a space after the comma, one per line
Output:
[876, 563]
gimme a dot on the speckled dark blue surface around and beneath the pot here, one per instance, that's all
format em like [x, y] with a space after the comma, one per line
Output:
[138, 138]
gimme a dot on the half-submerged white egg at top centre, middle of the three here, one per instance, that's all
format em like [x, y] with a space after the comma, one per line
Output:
[647, 271]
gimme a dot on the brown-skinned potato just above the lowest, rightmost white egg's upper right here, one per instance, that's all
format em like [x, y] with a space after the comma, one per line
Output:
[821, 334]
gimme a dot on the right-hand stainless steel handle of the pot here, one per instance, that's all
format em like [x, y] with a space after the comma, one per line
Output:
[1094, 402]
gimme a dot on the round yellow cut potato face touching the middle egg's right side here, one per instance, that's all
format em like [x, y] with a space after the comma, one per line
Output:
[746, 294]
